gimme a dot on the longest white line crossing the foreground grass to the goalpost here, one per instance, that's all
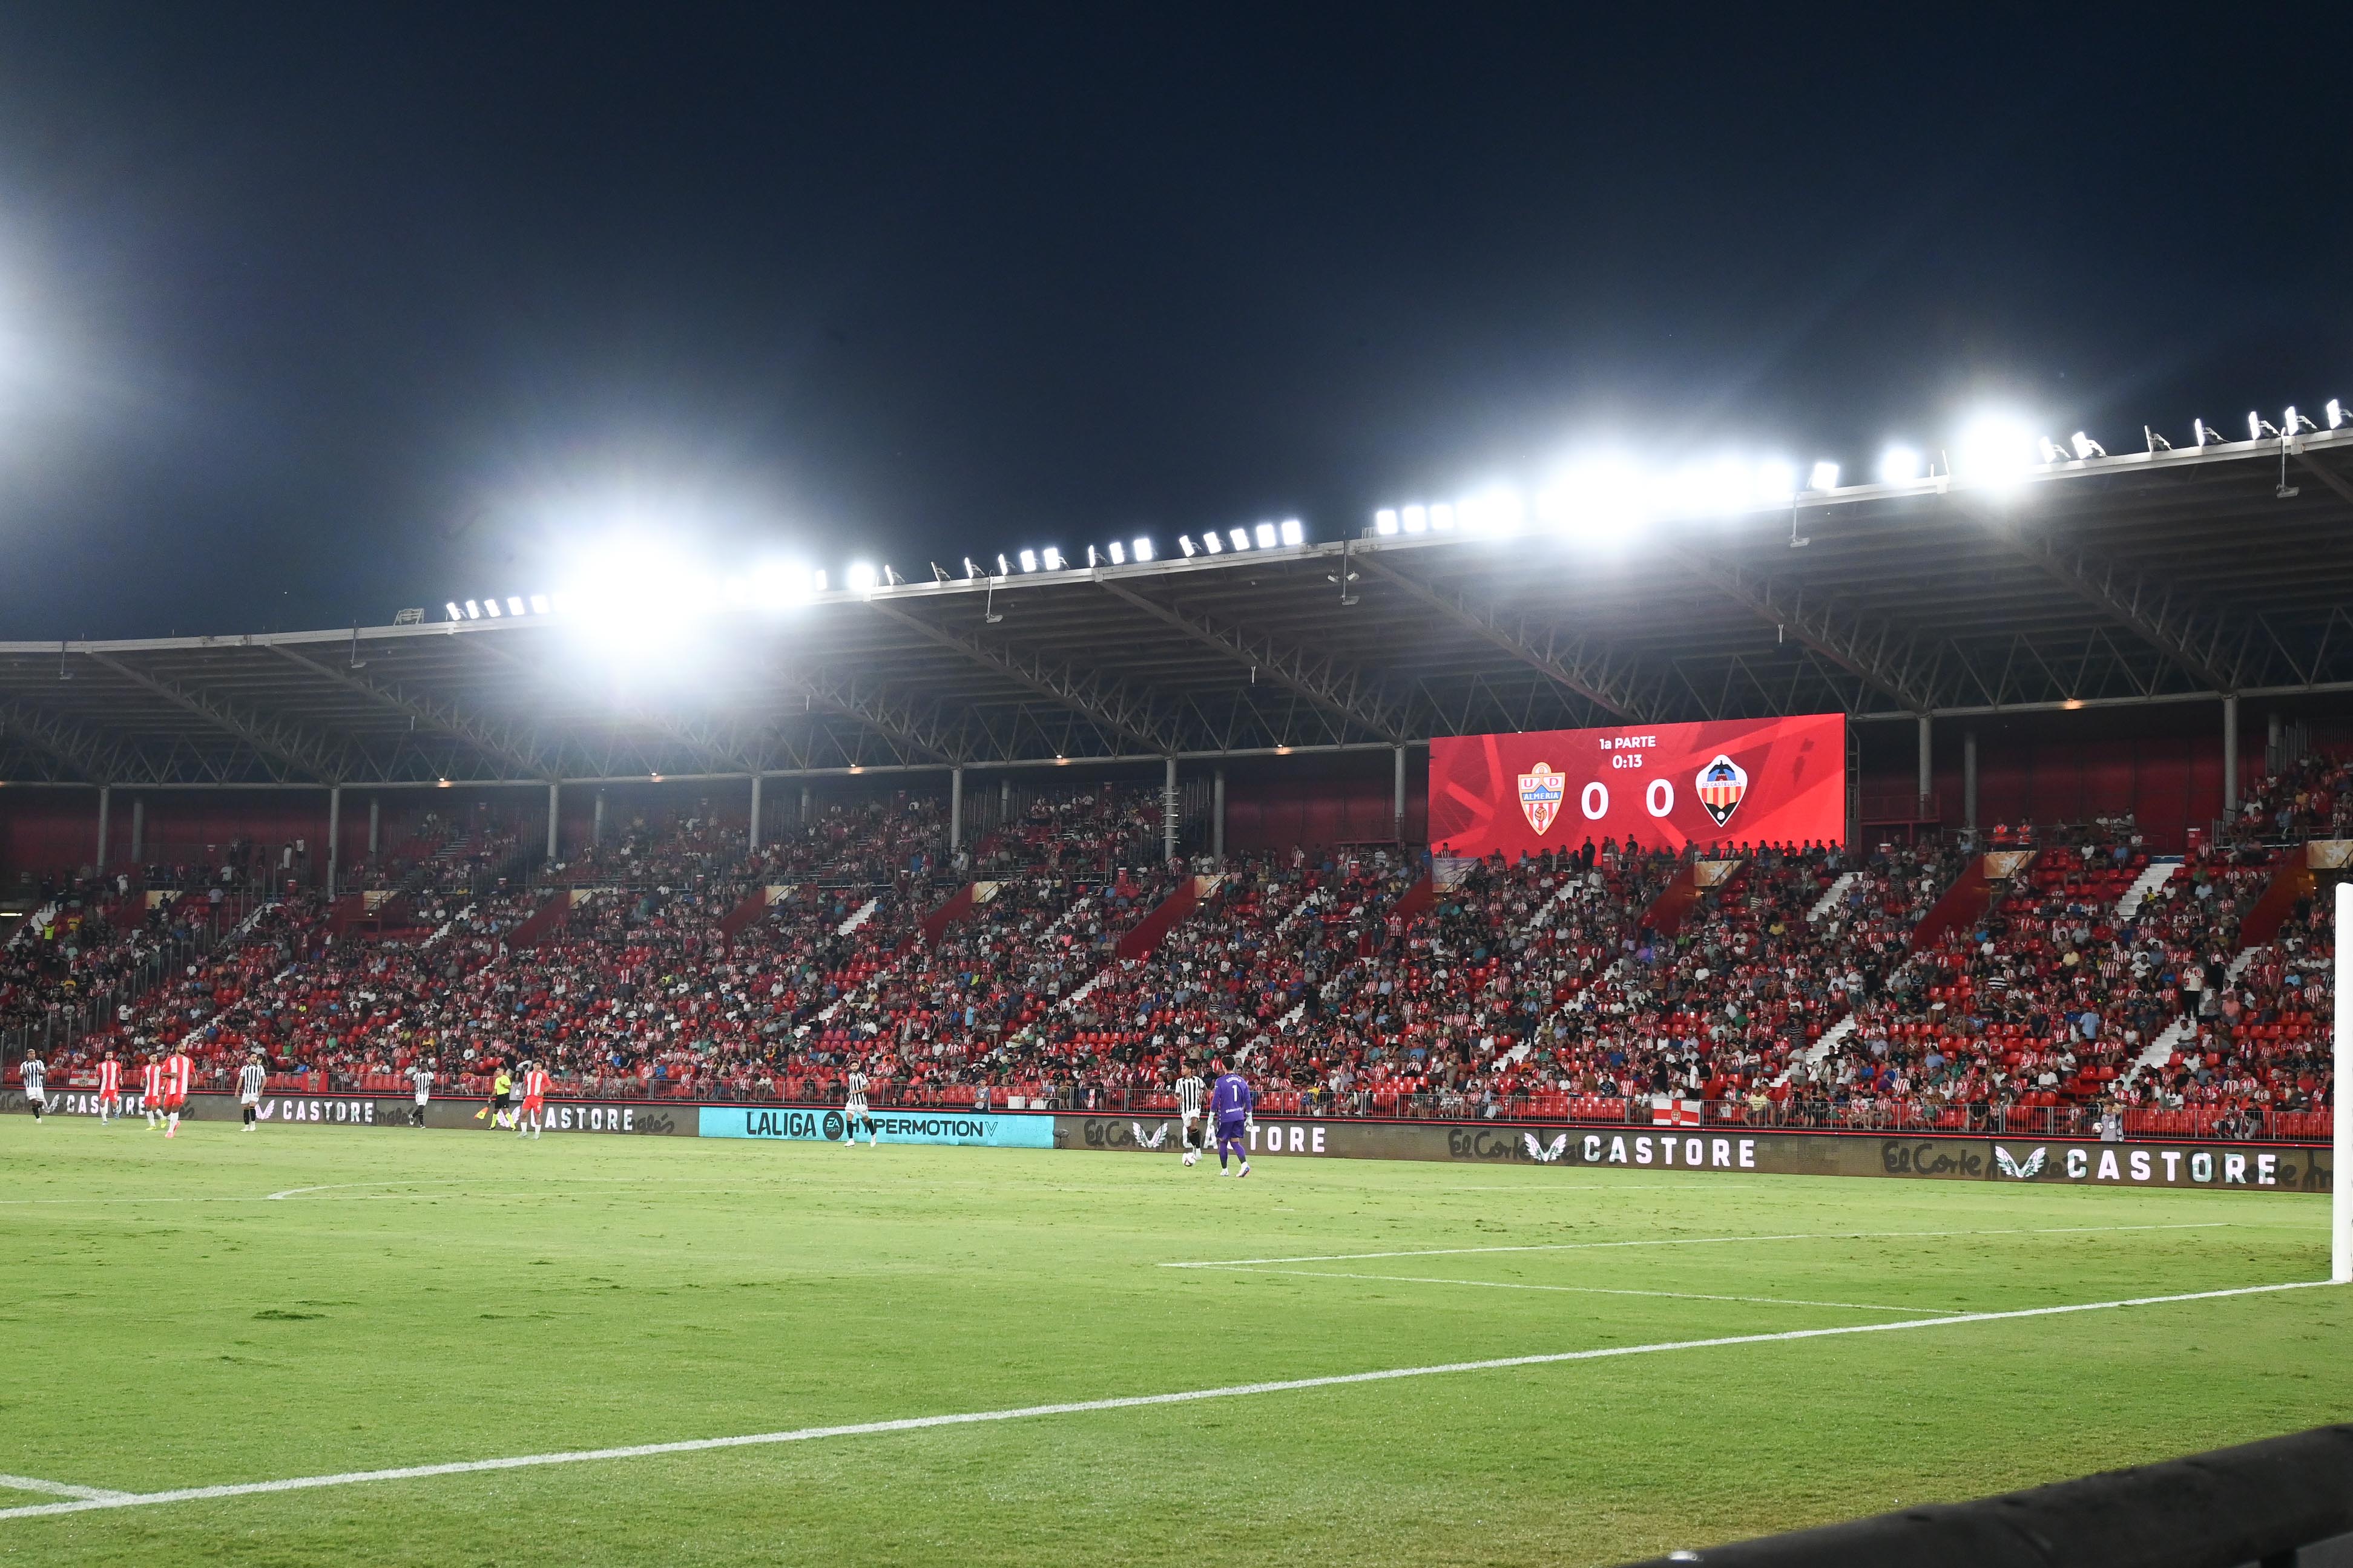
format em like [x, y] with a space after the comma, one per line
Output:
[1084, 1407]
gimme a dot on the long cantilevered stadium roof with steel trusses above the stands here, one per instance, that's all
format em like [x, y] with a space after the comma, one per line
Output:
[2135, 579]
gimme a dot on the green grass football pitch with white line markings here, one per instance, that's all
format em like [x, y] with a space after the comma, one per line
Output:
[307, 1304]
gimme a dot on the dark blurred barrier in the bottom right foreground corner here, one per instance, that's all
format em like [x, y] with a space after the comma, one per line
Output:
[2279, 1503]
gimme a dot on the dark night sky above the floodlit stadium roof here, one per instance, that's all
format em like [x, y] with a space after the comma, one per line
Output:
[319, 311]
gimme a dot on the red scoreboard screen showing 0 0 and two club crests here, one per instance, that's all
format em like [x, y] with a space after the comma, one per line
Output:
[1740, 782]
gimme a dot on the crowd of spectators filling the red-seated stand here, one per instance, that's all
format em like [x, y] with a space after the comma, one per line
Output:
[1773, 981]
